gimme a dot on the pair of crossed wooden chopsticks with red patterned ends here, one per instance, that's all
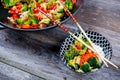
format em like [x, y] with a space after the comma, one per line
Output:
[93, 48]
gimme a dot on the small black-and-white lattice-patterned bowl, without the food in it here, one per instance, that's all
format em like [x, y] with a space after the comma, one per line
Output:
[95, 37]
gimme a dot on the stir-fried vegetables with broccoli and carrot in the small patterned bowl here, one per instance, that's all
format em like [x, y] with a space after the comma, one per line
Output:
[80, 58]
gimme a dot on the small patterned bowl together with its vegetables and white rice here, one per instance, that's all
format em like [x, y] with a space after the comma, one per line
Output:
[80, 58]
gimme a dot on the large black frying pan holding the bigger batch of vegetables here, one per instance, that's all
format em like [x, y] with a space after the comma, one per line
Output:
[4, 14]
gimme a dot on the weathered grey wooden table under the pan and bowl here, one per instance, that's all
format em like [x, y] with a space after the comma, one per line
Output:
[39, 51]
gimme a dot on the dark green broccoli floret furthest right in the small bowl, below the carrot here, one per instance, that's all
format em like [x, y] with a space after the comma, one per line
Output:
[94, 62]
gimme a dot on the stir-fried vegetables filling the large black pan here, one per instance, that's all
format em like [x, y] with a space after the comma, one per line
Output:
[25, 14]
